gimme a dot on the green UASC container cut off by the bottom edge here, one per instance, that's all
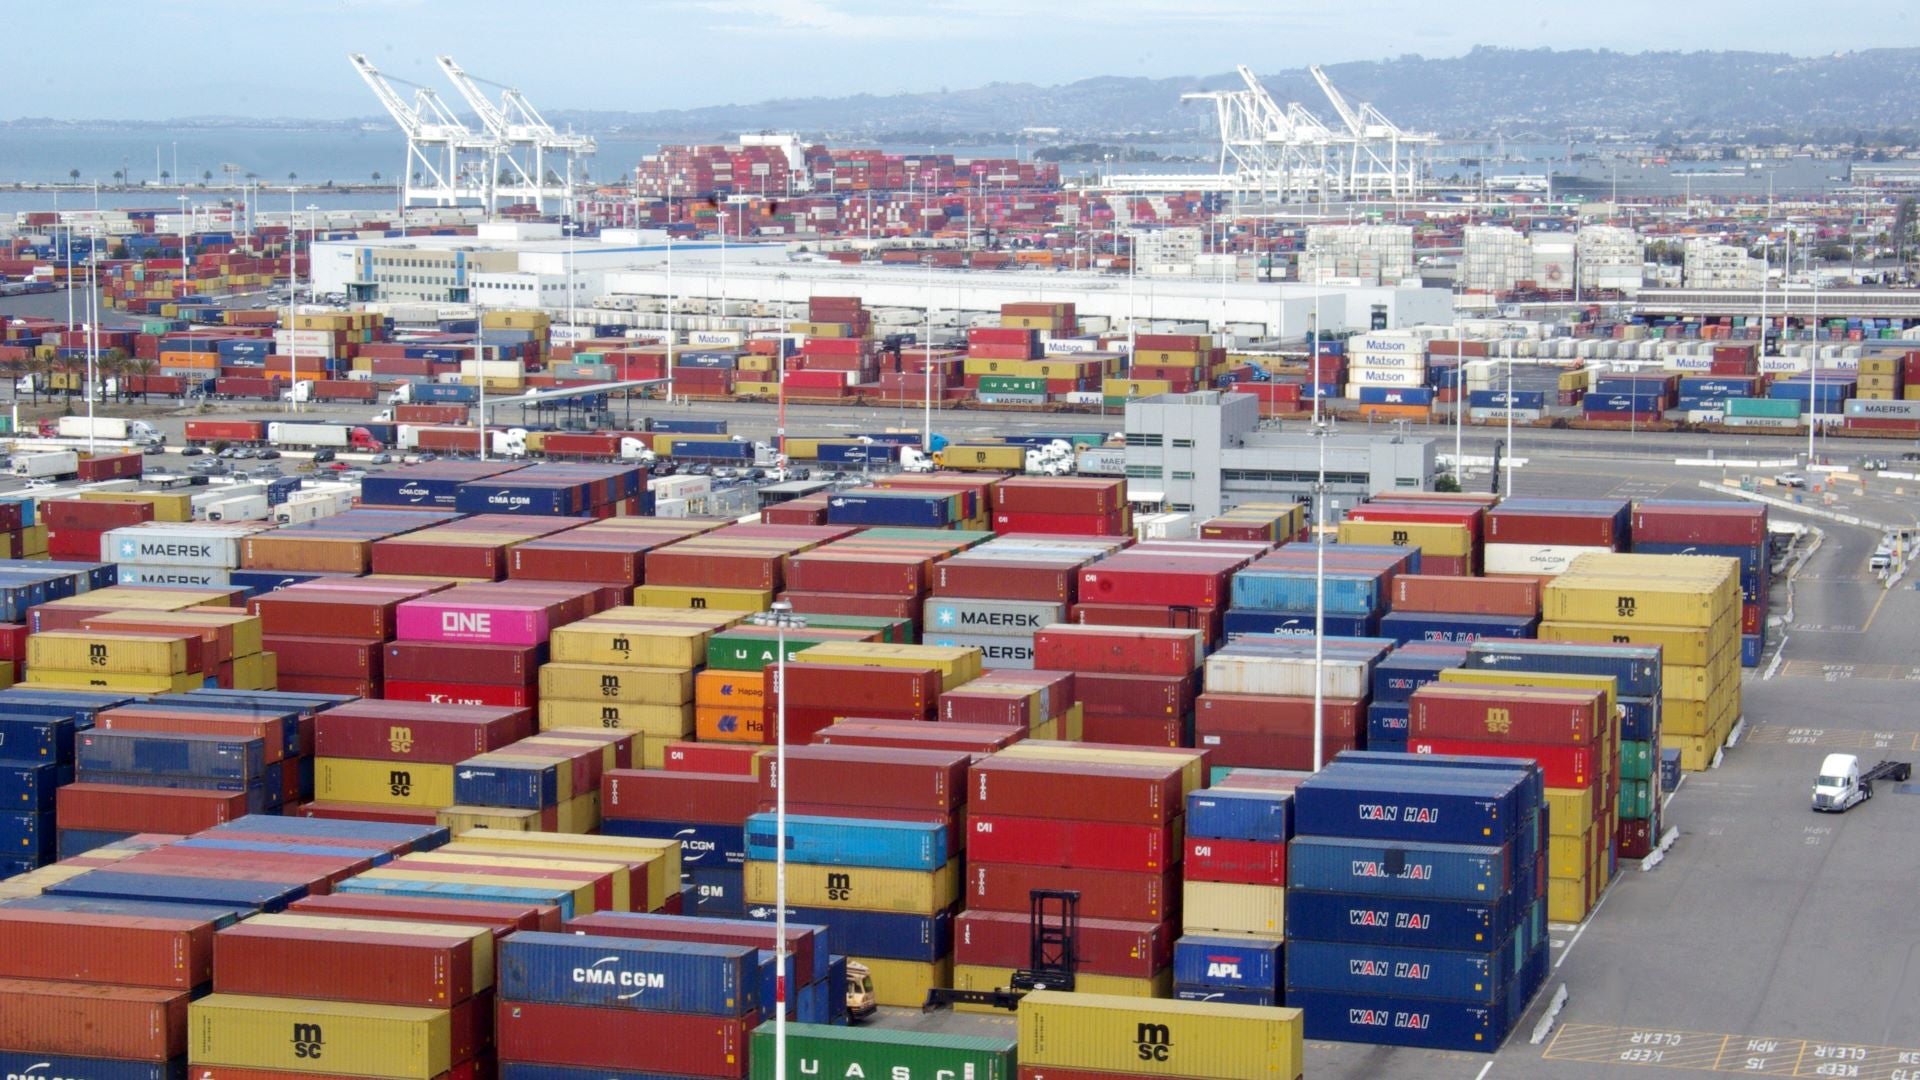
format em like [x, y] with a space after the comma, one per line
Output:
[834, 1052]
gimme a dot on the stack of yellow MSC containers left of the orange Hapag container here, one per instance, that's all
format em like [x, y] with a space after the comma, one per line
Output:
[629, 670]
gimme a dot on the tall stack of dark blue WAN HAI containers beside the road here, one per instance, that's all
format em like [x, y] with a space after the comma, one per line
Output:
[1416, 912]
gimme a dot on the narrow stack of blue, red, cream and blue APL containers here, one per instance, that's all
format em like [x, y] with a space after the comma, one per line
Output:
[1234, 893]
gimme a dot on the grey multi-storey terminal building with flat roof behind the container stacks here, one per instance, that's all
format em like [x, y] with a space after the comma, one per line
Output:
[1207, 453]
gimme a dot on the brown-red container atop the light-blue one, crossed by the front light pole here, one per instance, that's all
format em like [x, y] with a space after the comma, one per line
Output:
[871, 777]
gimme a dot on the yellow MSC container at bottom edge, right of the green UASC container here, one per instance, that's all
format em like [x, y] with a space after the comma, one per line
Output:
[1136, 1037]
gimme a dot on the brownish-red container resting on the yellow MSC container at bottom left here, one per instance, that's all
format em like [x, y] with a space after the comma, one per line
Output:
[345, 966]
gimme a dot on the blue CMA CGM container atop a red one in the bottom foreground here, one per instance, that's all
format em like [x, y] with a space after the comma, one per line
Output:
[631, 973]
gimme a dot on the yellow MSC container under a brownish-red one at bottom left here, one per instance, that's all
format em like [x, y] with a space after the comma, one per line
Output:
[320, 1039]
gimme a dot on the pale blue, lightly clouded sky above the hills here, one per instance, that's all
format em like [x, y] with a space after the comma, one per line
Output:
[287, 59]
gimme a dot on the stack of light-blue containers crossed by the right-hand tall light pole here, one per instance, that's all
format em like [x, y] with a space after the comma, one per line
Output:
[1276, 593]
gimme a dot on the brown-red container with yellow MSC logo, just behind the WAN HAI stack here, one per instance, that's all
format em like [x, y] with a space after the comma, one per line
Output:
[1460, 710]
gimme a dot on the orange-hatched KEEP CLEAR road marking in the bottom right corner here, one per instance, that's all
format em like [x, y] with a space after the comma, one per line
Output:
[1756, 1056]
